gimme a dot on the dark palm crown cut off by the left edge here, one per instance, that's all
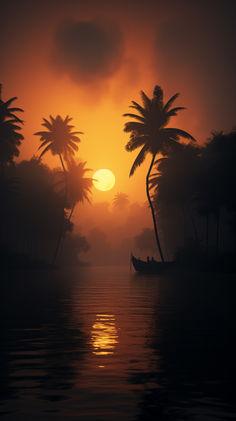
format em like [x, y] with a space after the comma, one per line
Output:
[10, 138]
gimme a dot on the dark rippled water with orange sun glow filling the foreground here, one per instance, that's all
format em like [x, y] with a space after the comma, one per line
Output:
[103, 344]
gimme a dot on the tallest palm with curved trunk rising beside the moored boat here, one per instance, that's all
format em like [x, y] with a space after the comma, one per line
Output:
[149, 131]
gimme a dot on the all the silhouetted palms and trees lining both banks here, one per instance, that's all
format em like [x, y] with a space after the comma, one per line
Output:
[190, 190]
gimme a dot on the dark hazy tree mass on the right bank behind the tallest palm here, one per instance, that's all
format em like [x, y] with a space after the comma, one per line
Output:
[194, 196]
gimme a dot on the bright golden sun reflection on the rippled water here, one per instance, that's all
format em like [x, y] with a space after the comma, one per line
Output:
[104, 335]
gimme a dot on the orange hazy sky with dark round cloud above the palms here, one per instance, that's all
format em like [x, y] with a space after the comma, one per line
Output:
[90, 59]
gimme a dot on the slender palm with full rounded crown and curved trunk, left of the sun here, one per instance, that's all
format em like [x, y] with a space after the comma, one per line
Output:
[62, 141]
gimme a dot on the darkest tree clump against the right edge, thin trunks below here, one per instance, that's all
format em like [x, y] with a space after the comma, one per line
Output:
[218, 180]
